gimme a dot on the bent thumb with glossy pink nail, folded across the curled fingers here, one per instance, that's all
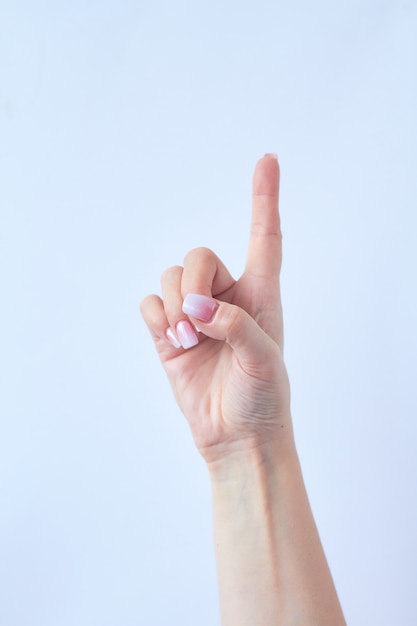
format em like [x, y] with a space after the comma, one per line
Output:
[231, 324]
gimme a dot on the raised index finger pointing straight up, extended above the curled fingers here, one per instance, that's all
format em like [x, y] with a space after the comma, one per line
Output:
[265, 243]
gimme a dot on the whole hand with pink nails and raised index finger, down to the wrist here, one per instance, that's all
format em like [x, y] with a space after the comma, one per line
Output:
[229, 378]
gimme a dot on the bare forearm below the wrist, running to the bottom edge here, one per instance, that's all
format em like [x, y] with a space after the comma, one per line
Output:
[271, 567]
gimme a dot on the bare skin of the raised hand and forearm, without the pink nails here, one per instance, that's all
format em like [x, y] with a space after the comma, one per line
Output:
[233, 388]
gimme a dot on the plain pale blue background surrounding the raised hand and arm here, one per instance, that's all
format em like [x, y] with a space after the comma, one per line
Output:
[128, 135]
